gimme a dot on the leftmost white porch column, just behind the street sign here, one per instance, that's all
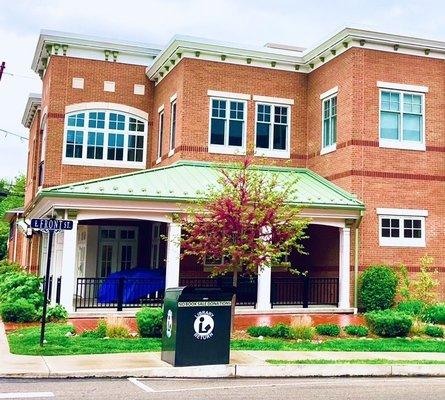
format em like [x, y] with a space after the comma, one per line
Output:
[68, 267]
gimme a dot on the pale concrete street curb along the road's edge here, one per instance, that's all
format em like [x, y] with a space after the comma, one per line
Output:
[249, 371]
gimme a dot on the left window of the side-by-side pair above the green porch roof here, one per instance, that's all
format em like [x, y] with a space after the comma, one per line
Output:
[227, 126]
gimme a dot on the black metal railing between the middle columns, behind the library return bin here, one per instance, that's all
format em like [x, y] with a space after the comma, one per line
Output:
[246, 291]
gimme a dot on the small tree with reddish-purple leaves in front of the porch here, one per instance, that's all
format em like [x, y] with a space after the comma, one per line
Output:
[245, 220]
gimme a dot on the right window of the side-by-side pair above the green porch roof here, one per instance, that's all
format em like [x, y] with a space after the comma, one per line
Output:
[272, 130]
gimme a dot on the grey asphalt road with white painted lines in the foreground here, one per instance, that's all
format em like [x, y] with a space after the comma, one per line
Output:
[220, 389]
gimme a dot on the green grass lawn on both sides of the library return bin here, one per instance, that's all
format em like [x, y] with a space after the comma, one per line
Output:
[26, 341]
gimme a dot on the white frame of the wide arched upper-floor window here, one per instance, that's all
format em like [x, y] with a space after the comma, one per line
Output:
[104, 162]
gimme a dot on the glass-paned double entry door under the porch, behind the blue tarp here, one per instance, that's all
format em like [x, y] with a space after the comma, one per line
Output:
[117, 249]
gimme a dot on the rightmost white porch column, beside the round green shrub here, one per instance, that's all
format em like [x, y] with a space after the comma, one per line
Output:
[344, 268]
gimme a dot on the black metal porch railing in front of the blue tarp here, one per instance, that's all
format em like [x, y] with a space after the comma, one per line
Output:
[116, 293]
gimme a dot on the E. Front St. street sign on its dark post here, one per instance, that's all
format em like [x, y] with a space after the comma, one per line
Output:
[49, 226]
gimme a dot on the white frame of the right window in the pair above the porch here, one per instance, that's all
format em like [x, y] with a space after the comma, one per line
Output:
[271, 152]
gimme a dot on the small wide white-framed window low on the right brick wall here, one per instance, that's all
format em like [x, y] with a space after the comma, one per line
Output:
[402, 230]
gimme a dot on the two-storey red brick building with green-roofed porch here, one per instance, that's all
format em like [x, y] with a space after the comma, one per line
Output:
[124, 133]
